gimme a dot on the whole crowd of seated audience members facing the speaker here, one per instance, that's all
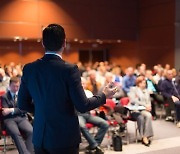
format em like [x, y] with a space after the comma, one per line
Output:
[162, 85]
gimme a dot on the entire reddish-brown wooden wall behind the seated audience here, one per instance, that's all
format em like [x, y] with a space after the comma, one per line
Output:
[150, 42]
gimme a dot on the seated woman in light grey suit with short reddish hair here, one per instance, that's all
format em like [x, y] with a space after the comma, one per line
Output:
[139, 96]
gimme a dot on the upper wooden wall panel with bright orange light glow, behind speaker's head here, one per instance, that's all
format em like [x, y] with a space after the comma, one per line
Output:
[115, 19]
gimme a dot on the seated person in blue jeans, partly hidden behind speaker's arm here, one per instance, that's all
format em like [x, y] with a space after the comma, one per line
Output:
[84, 118]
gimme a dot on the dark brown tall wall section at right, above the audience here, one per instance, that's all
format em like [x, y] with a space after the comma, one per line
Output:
[156, 31]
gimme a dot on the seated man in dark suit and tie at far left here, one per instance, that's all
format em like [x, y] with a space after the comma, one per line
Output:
[15, 120]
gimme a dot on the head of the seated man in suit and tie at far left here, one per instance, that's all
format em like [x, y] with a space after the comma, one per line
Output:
[14, 84]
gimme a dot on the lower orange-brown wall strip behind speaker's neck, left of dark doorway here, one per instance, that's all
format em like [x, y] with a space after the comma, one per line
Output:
[29, 51]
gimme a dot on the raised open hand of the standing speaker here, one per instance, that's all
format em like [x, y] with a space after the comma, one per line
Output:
[110, 90]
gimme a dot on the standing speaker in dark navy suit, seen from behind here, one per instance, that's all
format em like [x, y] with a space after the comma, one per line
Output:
[56, 90]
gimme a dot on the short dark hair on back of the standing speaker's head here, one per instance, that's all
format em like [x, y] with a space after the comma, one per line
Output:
[53, 37]
